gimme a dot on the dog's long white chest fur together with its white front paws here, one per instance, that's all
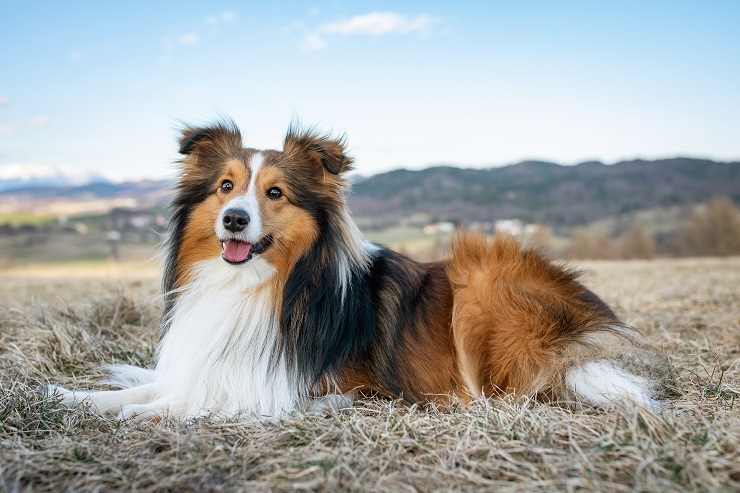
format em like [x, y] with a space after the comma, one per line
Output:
[218, 357]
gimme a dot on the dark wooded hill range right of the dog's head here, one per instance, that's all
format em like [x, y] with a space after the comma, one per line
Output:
[545, 192]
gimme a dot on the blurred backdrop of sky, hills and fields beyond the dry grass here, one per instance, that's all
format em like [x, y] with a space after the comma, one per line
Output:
[590, 130]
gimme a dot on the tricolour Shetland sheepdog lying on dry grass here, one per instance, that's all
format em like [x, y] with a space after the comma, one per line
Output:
[275, 303]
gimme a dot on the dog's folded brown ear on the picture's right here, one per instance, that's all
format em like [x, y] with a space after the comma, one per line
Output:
[320, 150]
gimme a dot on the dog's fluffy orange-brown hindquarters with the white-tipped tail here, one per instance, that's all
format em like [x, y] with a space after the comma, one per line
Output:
[525, 325]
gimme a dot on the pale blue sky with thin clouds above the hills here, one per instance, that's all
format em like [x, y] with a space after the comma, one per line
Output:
[104, 86]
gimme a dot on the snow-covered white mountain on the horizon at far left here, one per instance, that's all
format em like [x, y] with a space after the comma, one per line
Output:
[20, 176]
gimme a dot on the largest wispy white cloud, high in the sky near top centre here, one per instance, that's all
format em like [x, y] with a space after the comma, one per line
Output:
[372, 24]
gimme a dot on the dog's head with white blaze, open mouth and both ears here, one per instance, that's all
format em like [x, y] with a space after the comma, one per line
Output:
[240, 204]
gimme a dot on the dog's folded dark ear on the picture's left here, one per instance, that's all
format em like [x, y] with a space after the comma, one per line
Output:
[217, 141]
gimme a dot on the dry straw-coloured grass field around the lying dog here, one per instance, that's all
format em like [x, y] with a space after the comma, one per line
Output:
[691, 308]
